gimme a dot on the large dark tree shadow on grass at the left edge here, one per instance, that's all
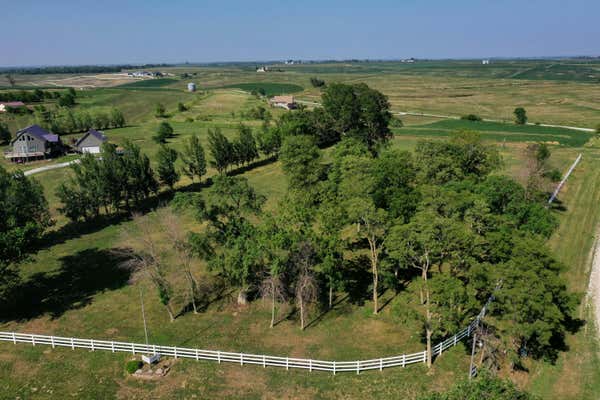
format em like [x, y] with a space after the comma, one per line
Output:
[81, 276]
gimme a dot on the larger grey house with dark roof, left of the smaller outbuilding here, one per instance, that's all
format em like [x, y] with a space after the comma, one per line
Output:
[33, 143]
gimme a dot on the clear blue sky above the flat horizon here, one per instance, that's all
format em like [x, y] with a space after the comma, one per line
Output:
[58, 32]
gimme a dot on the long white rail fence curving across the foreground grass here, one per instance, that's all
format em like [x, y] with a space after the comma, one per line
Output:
[242, 358]
